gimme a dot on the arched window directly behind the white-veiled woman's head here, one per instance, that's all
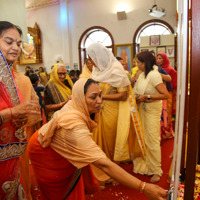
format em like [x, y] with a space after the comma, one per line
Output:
[91, 35]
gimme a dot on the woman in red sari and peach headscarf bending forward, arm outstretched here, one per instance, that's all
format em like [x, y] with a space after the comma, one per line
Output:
[64, 146]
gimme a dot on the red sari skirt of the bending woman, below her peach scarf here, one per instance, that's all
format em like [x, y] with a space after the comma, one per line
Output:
[54, 173]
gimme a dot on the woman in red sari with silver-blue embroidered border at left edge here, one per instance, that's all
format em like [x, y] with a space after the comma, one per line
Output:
[19, 110]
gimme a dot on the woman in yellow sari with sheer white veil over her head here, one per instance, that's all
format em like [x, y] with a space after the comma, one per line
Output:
[118, 115]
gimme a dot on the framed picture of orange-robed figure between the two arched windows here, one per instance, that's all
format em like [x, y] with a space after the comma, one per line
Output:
[125, 51]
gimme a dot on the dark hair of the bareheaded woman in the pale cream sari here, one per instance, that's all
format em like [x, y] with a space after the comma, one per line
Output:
[148, 59]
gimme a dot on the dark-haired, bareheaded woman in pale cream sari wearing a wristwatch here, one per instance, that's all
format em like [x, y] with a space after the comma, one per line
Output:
[150, 91]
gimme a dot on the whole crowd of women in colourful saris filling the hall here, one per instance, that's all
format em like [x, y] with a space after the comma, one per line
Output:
[103, 117]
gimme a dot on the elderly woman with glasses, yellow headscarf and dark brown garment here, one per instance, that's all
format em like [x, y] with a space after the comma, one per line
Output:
[58, 90]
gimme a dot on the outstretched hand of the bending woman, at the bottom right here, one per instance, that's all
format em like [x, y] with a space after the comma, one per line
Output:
[155, 192]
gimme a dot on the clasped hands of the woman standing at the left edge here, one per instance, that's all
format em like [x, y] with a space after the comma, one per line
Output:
[21, 111]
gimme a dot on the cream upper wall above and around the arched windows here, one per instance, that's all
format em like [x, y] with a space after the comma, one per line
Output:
[84, 14]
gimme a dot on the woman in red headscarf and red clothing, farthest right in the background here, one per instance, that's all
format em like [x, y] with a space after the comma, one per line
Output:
[167, 131]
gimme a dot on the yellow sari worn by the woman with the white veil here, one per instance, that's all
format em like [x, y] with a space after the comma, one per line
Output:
[119, 133]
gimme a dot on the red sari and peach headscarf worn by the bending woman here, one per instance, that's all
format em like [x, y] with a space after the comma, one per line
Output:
[63, 145]
